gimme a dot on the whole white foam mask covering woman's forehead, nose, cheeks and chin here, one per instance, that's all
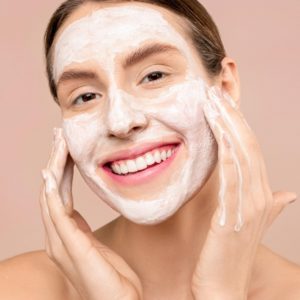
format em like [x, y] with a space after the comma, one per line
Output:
[102, 36]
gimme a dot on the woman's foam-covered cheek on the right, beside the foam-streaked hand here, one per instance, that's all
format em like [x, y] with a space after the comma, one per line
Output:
[183, 112]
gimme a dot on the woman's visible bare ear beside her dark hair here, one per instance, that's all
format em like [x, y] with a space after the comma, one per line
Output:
[229, 79]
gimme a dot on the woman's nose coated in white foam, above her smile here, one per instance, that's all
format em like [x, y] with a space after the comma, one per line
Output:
[123, 120]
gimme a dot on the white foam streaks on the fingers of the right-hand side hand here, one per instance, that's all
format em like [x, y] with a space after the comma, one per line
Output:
[215, 110]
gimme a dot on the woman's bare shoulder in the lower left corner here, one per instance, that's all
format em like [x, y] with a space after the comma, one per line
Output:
[33, 276]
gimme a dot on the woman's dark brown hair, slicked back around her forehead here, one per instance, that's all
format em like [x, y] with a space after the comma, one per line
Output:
[204, 31]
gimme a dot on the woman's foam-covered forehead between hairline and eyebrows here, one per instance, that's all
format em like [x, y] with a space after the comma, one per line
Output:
[101, 32]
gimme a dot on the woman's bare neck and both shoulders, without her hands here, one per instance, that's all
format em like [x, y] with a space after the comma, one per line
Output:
[31, 274]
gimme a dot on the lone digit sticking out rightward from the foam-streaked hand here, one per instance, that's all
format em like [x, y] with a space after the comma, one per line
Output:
[281, 200]
